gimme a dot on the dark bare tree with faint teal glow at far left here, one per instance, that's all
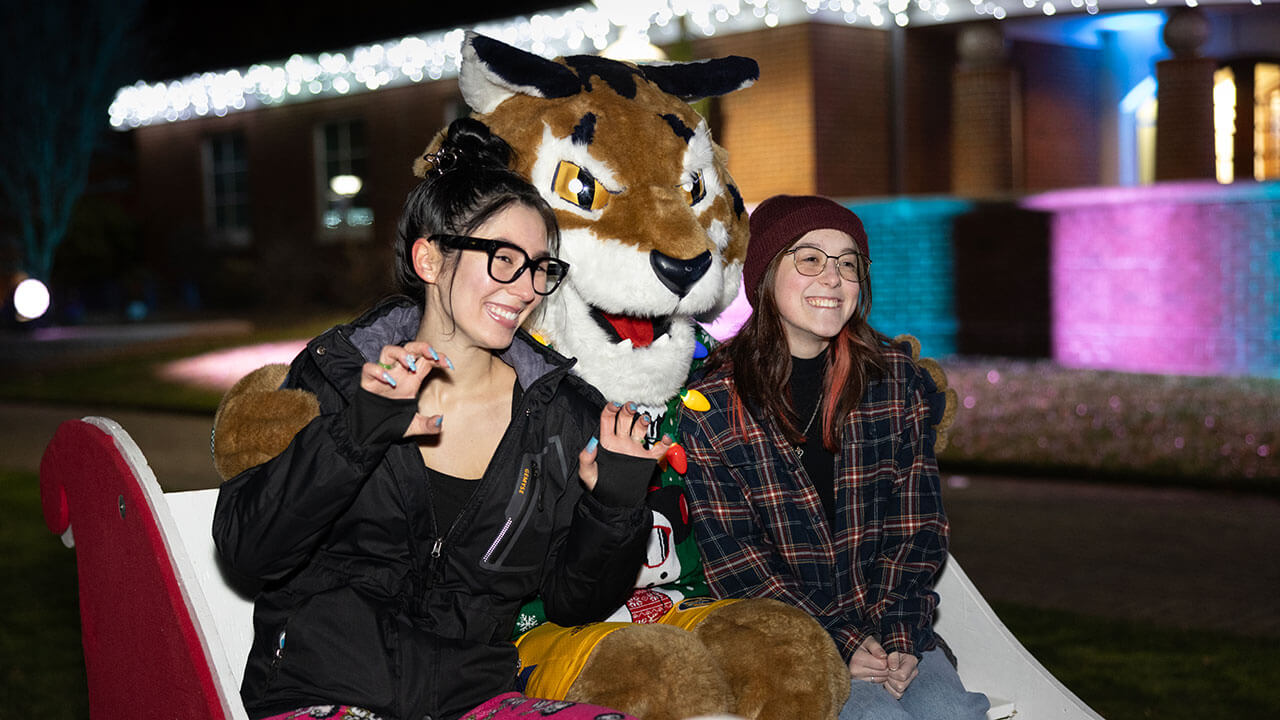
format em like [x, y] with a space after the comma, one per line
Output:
[63, 65]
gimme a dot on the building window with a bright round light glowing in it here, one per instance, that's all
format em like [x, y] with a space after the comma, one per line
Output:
[342, 153]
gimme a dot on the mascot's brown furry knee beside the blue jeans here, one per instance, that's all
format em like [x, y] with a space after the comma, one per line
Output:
[780, 663]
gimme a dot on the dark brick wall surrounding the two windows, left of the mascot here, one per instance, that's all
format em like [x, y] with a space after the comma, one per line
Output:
[287, 263]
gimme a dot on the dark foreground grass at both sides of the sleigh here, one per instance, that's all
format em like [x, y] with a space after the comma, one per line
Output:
[1124, 671]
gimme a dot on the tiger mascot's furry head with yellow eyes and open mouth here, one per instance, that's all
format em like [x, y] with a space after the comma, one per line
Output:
[652, 224]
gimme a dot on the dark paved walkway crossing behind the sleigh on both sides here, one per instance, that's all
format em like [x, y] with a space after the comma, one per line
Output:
[1178, 558]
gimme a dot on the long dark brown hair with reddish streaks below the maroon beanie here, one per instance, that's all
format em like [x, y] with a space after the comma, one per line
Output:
[760, 361]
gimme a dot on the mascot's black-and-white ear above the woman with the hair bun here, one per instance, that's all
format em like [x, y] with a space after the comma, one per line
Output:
[493, 71]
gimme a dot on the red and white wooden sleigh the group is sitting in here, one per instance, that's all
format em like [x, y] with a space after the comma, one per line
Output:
[167, 632]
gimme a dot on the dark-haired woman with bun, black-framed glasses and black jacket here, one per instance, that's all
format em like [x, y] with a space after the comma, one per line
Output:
[456, 470]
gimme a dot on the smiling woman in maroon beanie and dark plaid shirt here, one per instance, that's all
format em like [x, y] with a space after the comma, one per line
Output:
[812, 475]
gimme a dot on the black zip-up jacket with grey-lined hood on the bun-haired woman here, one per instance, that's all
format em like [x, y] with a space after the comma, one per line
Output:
[367, 600]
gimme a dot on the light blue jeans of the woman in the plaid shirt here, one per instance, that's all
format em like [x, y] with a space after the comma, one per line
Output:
[936, 694]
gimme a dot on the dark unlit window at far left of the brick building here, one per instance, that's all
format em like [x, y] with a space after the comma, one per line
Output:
[227, 190]
